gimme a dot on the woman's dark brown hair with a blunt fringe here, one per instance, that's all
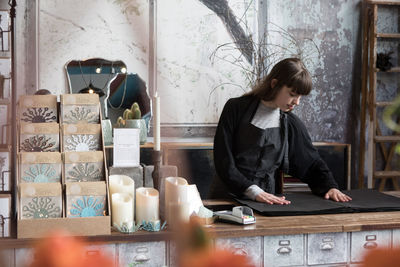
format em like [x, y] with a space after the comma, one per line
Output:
[290, 72]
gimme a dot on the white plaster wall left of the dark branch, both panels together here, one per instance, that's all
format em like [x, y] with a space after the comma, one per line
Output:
[193, 89]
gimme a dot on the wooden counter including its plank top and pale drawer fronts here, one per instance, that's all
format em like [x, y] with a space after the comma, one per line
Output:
[323, 240]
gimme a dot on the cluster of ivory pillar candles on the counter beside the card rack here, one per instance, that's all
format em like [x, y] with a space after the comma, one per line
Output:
[180, 200]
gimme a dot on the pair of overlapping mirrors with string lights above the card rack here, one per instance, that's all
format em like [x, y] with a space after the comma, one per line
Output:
[116, 88]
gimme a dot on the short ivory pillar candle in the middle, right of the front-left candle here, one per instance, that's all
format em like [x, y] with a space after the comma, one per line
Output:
[147, 204]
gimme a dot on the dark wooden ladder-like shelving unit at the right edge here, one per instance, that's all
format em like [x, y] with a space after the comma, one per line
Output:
[379, 139]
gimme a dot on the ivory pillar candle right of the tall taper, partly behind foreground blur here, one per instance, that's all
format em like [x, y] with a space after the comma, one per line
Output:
[175, 191]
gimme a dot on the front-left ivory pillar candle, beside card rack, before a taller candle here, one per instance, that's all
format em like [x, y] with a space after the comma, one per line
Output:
[121, 208]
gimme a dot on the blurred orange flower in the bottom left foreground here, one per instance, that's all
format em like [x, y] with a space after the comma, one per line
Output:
[61, 250]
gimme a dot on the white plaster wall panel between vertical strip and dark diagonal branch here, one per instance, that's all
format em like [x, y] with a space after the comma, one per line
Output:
[192, 89]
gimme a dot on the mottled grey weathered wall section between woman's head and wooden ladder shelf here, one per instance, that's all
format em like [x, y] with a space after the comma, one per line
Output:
[332, 58]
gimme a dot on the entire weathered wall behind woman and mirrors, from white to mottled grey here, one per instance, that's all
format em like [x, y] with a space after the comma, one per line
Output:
[119, 30]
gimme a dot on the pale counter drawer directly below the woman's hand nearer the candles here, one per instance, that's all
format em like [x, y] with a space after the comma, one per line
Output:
[284, 250]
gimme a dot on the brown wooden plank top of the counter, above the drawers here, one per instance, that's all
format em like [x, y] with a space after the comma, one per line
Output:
[265, 226]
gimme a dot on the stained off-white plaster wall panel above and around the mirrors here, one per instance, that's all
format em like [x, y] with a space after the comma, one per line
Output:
[76, 29]
